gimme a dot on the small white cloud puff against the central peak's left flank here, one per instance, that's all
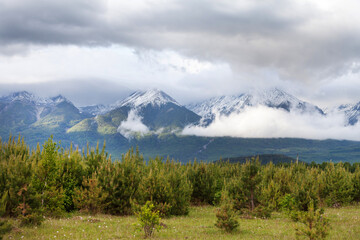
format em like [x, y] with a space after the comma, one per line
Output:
[132, 125]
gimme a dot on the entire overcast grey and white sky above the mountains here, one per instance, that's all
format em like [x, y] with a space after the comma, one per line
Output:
[99, 51]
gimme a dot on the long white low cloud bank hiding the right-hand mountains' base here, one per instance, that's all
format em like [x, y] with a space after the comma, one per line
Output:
[265, 122]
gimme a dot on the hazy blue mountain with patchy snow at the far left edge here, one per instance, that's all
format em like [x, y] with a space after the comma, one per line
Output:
[25, 112]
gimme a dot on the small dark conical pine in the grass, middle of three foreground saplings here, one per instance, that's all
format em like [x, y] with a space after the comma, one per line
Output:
[226, 215]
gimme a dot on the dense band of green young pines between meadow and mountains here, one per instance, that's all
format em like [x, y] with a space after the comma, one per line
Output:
[50, 181]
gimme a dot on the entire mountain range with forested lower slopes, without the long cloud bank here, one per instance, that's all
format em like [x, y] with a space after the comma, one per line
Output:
[154, 121]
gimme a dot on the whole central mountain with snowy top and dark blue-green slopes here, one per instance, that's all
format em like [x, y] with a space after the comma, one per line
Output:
[154, 109]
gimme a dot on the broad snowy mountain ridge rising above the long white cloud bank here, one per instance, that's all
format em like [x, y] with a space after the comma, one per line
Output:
[274, 98]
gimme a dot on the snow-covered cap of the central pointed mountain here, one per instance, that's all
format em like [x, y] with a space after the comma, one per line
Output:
[155, 97]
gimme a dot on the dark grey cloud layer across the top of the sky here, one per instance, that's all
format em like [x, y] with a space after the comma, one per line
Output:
[295, 39]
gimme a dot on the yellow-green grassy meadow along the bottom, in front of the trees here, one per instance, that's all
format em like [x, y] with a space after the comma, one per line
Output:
[199, 224]
